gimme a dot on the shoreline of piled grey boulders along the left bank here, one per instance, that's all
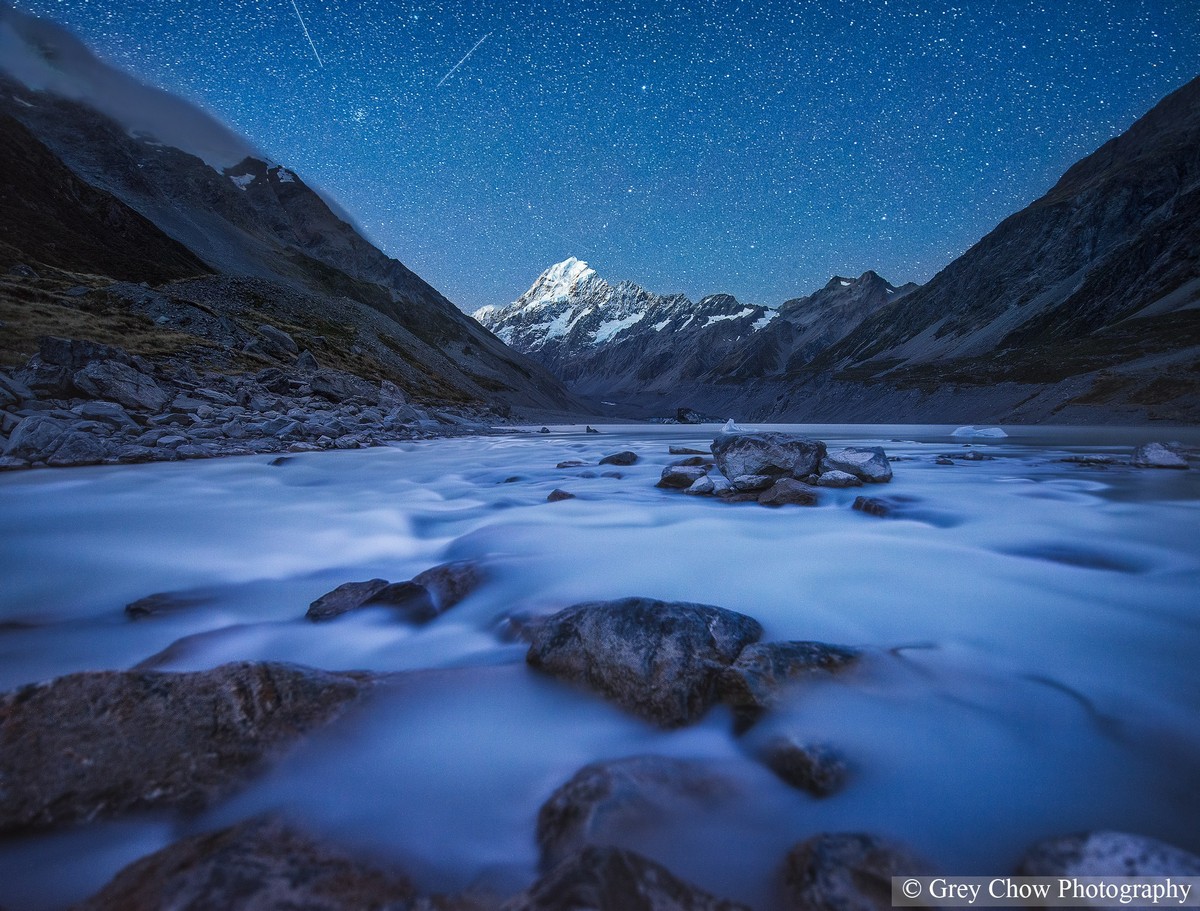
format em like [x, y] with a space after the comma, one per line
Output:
[79, 403]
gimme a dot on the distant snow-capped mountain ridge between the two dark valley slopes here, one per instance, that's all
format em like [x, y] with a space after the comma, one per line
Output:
[621, 340]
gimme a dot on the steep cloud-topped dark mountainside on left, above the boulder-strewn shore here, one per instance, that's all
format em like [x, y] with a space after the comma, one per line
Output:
[112, 201]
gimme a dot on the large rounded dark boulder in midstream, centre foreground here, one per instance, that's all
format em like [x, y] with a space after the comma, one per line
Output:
[658, 660]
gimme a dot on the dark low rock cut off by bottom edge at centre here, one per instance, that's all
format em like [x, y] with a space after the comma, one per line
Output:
[608, 879]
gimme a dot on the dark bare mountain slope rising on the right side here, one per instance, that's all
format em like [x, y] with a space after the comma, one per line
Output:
[1089, 297]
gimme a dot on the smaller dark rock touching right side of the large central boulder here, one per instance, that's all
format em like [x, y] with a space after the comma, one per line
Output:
[752, 684]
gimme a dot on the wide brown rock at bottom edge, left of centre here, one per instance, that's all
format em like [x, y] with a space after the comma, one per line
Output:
[262, 865]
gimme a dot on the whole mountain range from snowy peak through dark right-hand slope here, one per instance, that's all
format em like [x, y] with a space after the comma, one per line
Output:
[1084, 307]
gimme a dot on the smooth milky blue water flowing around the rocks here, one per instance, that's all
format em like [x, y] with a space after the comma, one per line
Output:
[1033, 631]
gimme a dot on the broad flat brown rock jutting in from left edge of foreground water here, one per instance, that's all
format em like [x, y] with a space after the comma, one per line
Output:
[92, 746]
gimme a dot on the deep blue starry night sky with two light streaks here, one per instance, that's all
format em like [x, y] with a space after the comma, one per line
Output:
[753, 148]
